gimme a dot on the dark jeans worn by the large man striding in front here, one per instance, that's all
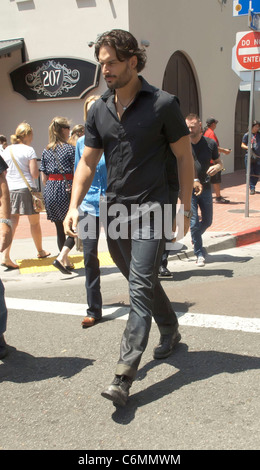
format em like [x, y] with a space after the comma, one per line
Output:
[139, 259]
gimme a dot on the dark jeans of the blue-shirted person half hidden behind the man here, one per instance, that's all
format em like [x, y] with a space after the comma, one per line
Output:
[91, 263]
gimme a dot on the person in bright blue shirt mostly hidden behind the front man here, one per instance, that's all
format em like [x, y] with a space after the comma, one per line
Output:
[89, 230]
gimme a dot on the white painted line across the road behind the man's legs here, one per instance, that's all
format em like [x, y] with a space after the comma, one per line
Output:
[250, 325]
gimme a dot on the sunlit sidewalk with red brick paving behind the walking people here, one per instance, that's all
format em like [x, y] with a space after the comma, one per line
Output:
[230, 228]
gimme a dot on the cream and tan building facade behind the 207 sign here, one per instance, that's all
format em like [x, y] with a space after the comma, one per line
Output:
[189, 47]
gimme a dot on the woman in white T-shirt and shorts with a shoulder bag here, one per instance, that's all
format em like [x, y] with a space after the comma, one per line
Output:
[21, 200]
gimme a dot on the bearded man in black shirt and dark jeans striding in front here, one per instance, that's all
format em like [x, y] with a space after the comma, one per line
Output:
[134, 123]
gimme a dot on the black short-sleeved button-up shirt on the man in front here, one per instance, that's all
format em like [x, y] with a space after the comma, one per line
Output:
[136, 147]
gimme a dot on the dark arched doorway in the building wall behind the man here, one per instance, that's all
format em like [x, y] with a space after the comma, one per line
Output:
[179, 80]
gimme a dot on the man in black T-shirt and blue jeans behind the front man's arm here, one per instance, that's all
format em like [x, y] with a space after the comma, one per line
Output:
[204, 151]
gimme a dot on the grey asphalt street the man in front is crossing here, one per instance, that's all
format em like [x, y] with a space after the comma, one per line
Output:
[203, 397]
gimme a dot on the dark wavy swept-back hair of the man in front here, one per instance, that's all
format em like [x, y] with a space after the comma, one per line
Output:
[125, 45]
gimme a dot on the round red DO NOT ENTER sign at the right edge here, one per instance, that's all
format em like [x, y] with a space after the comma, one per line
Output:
[248, 51]
